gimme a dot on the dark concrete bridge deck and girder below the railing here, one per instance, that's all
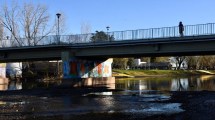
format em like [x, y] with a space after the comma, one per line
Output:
[173, 46]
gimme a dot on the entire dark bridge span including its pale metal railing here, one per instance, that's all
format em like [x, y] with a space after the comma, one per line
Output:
[197, 40]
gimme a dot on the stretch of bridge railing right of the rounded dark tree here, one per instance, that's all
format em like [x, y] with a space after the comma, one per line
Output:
[165, 32]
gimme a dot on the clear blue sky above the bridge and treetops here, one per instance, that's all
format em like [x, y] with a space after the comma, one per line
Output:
[122, 15]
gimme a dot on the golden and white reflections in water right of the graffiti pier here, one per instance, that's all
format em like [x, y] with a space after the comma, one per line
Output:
[192, 83]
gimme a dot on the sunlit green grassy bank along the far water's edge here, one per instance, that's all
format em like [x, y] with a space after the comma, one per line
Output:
[139, 73]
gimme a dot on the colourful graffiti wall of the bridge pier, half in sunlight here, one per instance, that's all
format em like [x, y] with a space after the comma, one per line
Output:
[76, 68]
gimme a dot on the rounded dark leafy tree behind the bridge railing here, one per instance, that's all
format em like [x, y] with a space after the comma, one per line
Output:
[101, 36]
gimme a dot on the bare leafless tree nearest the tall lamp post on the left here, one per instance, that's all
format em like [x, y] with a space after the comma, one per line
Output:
[34, 21]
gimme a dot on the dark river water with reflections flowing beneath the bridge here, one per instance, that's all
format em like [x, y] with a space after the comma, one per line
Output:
[138, 96]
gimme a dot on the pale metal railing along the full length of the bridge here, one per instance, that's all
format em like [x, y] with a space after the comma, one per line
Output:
[140, 34]
